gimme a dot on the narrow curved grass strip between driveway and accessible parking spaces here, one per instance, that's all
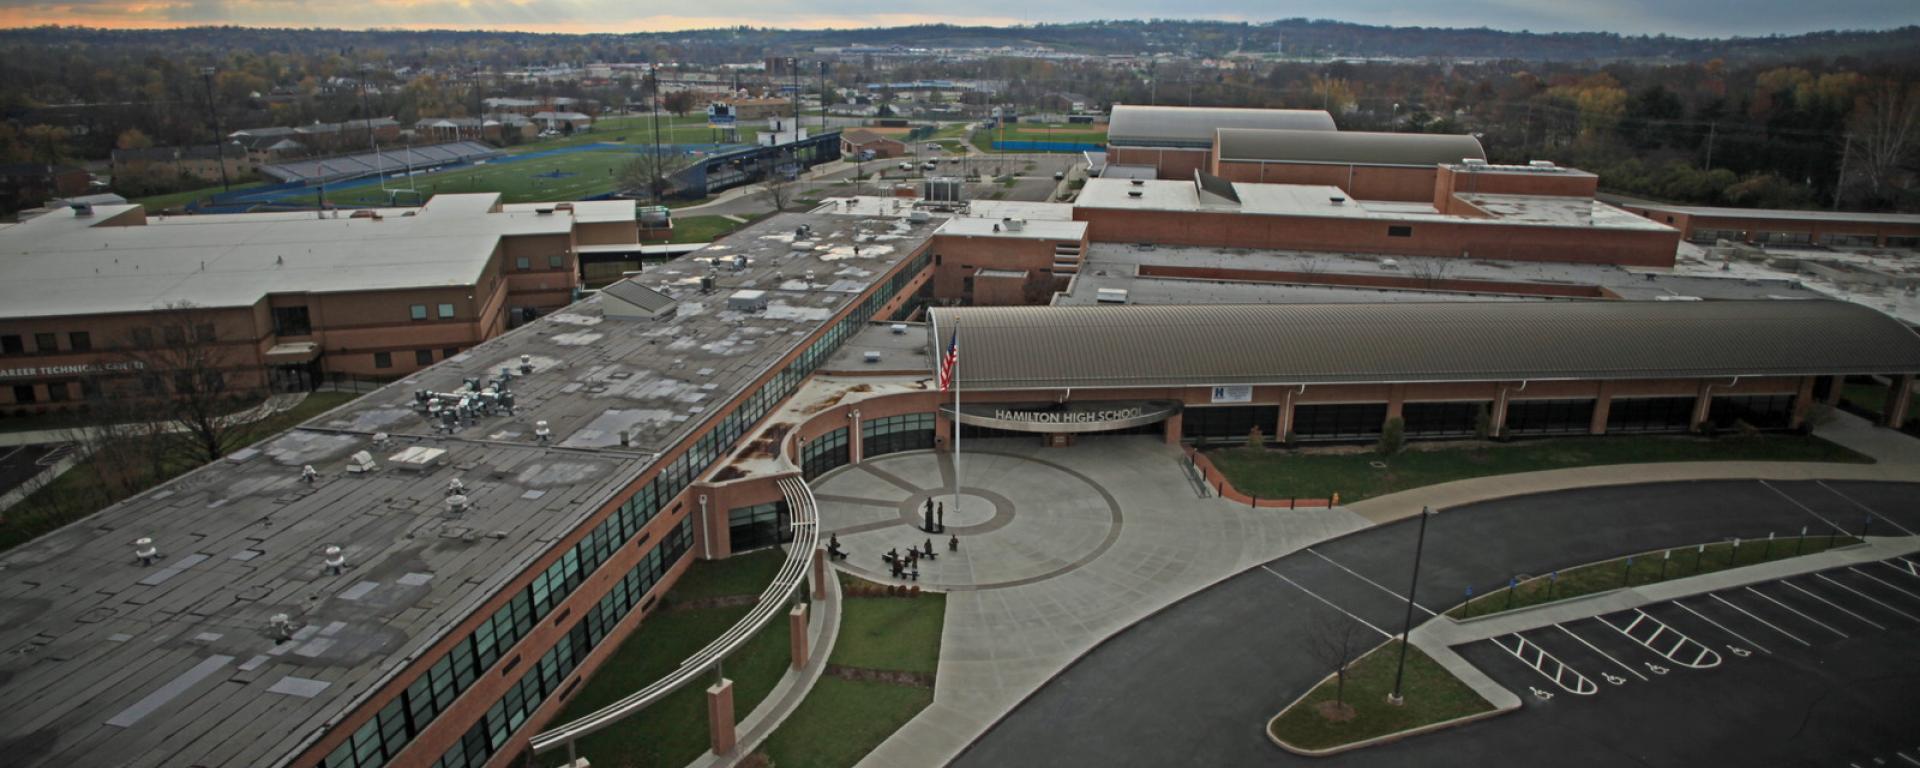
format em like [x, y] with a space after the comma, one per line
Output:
[1644, 569]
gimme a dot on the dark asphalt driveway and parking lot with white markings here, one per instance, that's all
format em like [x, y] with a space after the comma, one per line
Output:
[1197, 683]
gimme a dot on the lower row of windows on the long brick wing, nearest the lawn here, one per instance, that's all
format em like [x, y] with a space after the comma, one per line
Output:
[544, 679]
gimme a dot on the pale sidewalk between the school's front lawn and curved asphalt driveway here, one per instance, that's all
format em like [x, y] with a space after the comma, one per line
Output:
[1898, 458]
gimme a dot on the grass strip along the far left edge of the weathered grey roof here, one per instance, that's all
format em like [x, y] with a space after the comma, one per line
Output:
[85, 491]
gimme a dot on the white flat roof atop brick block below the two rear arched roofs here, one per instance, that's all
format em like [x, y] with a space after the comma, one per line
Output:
[1318, 201]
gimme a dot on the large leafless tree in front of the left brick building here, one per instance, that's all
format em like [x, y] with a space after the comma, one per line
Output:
[183, 366]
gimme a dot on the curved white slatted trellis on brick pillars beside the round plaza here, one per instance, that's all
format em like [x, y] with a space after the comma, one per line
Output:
[805, 517]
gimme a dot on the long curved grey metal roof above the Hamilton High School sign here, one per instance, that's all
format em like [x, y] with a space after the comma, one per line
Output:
[1124, 347]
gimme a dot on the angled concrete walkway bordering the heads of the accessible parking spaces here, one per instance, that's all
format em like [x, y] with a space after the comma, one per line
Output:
[1443, 635]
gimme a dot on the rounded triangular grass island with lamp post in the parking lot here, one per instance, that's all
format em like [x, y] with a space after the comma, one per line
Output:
[1431, 696]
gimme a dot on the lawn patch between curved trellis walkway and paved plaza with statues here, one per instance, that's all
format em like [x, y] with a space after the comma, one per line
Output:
[842, 719]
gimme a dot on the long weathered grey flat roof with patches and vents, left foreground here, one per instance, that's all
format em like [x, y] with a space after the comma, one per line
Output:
[172, 665]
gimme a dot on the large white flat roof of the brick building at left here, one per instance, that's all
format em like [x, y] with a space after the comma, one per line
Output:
[59, 264]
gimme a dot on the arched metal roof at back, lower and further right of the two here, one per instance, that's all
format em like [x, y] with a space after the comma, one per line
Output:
[1347, 147]
